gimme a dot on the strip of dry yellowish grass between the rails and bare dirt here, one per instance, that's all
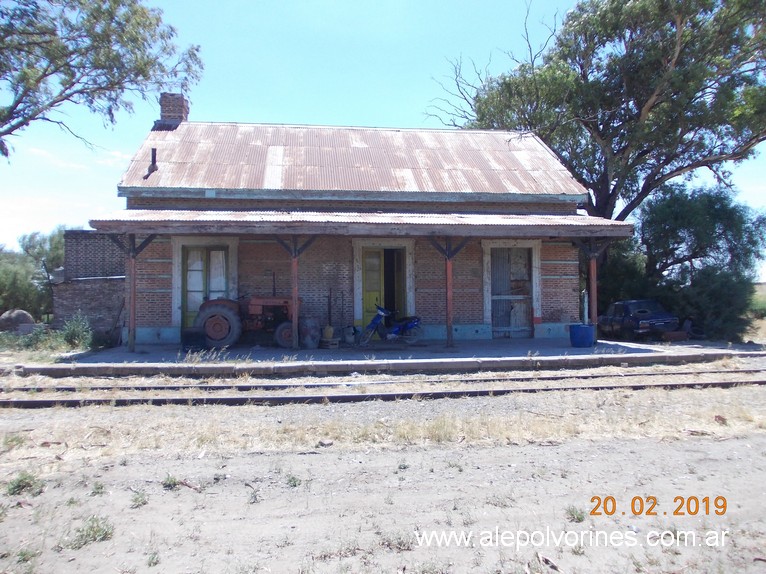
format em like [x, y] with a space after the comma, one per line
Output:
[515, 419]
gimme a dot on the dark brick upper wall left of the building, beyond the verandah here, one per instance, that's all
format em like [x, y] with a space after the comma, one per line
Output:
[91, 254]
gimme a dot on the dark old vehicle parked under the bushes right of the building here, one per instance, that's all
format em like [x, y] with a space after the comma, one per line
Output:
[636, 318]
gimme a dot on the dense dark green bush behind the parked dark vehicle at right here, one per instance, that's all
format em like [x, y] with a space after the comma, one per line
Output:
[697, 255]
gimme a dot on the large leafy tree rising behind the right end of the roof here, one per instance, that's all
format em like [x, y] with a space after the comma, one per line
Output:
[634, 94]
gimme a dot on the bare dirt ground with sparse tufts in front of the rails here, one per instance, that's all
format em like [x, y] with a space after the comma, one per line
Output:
[582, 481]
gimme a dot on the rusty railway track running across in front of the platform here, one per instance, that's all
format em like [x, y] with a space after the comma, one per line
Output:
[237, 393]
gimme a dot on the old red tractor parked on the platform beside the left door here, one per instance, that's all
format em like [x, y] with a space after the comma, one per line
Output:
[224, 320]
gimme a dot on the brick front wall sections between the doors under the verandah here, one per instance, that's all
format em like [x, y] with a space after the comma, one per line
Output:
[327, 266]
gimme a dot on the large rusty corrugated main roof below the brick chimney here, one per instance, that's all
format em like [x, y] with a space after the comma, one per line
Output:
[227, 156]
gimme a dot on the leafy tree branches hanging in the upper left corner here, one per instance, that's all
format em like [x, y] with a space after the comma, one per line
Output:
[94, 54]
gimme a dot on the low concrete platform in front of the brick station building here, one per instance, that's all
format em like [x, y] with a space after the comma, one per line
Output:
[380, 357]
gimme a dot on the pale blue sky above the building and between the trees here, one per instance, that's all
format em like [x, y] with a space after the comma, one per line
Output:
[332, 62]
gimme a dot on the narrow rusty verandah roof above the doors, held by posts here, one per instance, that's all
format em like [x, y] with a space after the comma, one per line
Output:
[354, 223]
